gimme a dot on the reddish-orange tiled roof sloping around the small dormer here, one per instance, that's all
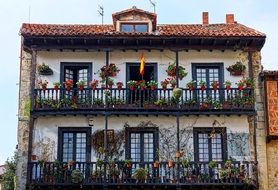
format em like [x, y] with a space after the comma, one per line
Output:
[165, 30]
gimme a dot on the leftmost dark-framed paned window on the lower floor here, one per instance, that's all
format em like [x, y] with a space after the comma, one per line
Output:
[74, 144]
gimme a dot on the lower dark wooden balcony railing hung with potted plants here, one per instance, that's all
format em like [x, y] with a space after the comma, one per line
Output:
[118, 173]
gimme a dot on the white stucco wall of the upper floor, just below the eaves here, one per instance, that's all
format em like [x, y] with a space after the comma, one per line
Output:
[53, 59]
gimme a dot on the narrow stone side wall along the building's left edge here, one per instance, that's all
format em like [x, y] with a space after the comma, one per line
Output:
[23, 120]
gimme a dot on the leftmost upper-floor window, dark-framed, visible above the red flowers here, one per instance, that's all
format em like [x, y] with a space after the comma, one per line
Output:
[76, 71]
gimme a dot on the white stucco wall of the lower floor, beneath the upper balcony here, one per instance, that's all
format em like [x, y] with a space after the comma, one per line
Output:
[47, 127]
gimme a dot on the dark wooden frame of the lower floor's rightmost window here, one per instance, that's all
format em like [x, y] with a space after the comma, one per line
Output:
[222, 130]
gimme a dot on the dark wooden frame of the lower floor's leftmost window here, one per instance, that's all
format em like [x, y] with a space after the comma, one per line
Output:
[62, 130]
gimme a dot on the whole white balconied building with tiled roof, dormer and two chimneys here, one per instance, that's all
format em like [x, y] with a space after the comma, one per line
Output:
[138, 104]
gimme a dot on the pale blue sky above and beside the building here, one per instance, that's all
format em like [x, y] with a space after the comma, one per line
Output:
[261, 15]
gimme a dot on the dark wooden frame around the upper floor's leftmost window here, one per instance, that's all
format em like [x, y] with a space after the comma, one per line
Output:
[76, 64]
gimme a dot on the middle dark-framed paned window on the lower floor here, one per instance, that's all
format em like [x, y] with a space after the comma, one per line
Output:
[141, 144]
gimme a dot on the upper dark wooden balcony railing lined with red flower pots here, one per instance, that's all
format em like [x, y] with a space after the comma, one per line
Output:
[196, 101]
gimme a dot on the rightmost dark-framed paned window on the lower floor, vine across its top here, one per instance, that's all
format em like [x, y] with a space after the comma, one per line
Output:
[210, 144]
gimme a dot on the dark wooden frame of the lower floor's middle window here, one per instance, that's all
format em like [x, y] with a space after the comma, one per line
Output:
[141, 130]
